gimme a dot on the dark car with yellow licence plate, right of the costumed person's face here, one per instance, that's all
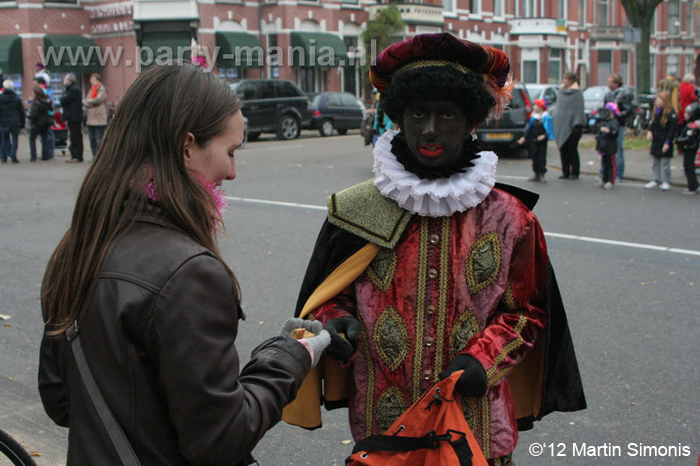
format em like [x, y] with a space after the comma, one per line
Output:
[501, 135]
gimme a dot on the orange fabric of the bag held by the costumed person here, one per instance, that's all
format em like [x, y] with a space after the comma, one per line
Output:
[424, 416]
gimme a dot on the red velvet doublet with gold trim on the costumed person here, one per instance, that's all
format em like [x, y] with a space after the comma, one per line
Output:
[468, 283]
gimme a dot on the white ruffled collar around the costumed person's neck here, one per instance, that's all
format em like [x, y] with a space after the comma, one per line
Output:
[432, 198]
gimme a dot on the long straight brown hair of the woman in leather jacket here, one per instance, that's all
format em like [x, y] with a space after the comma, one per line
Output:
[145, 141]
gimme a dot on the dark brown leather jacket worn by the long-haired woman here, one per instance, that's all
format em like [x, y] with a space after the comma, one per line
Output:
[159, 339]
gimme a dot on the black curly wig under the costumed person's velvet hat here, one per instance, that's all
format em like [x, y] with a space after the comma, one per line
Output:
[438, 83]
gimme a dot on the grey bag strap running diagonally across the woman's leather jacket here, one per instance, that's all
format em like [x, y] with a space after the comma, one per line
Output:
[116, 434]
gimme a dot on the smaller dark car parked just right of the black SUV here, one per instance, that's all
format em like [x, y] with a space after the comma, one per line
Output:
[336, 110]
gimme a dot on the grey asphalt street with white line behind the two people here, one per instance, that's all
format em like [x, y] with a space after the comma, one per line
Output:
[627, 261]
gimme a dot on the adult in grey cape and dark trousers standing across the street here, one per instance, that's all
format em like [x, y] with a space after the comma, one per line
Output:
[569, 119]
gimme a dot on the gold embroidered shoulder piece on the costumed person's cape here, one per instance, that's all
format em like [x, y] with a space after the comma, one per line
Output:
[364, 212]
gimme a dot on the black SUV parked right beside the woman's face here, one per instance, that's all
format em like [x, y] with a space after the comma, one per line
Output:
[273, 106]
